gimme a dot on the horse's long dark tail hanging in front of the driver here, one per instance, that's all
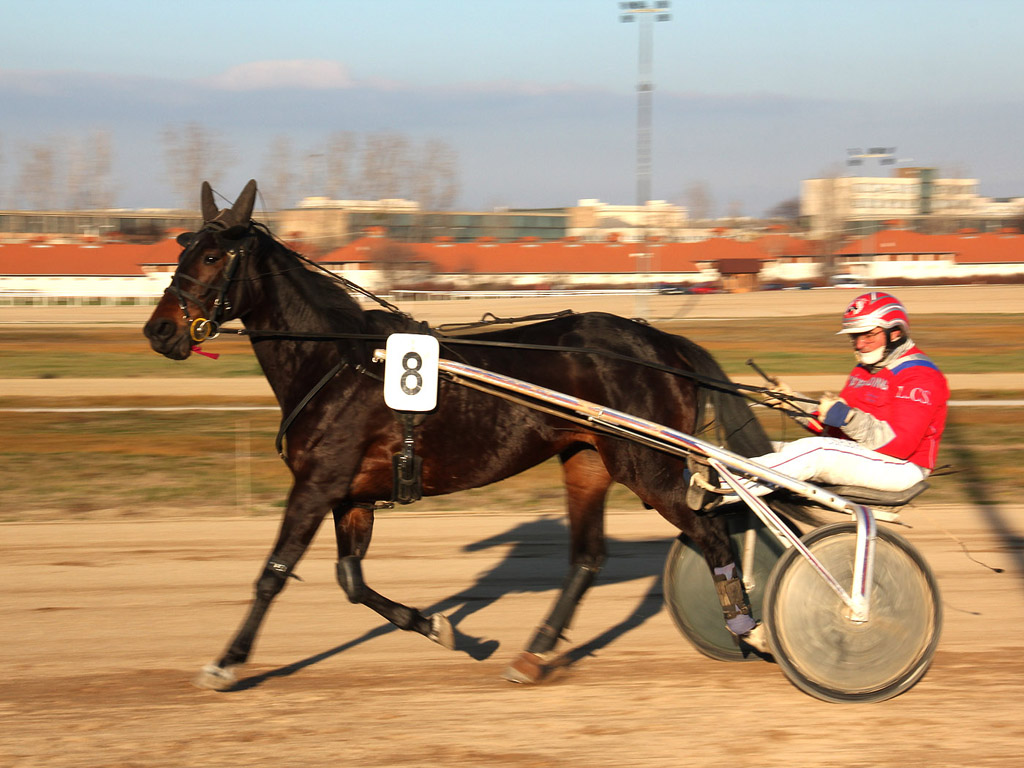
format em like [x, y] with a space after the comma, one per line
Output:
[735, 424]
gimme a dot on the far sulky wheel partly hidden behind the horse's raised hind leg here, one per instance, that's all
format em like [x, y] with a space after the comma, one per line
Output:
[691, 595]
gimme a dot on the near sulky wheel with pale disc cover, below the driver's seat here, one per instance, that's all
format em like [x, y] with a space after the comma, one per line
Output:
[826, 654]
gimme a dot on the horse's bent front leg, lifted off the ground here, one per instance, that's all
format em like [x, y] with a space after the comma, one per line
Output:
[354, 527]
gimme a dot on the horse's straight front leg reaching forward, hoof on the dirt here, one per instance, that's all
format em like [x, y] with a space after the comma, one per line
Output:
[303, 519]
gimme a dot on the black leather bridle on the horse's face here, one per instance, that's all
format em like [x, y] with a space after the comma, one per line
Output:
[235, 243]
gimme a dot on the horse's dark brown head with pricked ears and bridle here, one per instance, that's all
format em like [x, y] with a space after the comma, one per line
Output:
[203, 292]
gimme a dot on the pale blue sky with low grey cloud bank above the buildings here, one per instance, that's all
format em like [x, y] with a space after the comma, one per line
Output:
[537, 98]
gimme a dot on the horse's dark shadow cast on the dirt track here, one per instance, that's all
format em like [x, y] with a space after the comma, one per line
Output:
[536, 562]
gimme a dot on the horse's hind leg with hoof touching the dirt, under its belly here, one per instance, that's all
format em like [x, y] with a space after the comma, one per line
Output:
[587, 484]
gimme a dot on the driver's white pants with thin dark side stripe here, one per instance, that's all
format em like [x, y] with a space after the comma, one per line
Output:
[837, 462]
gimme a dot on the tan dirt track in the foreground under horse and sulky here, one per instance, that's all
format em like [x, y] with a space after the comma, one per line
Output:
[106, 623]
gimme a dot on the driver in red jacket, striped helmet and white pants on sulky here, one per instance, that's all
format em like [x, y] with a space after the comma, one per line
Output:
[883, 430]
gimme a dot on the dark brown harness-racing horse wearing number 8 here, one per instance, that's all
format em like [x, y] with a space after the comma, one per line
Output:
[306, 328]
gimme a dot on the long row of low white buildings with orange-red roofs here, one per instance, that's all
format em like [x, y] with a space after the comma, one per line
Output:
[118, 273]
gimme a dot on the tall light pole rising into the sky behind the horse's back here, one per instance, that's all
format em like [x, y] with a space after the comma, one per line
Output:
[645, 14]
